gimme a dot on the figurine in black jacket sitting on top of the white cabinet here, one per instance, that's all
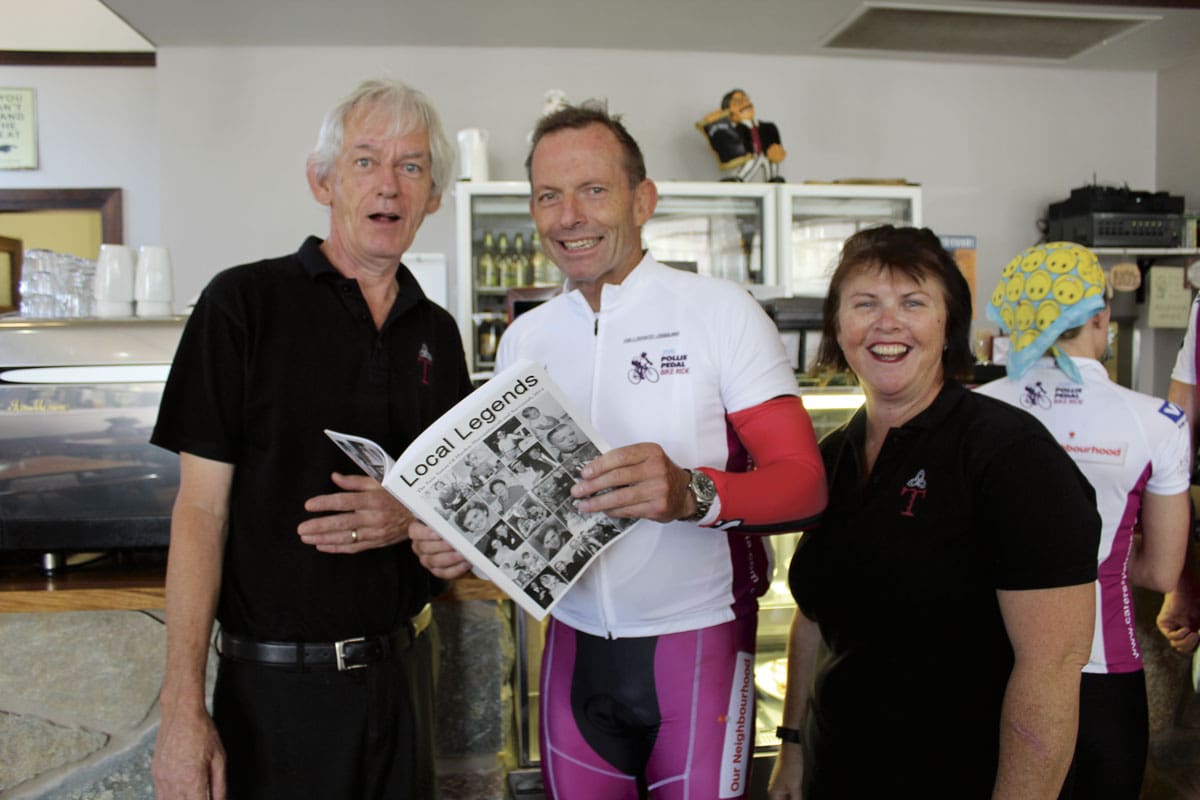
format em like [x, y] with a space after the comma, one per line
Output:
[741, 143]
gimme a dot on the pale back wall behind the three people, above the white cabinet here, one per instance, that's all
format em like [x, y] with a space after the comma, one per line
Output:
[992, 145]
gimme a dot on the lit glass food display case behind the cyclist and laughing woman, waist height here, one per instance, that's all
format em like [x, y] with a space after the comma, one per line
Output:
[829, 407]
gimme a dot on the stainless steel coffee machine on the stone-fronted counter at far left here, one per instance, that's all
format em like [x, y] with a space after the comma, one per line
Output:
[79, 399]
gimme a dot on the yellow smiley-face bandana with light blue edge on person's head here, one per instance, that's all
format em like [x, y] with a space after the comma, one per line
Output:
[1043, 292]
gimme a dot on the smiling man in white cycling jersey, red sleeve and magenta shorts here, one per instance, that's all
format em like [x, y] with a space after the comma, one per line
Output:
[647, 682]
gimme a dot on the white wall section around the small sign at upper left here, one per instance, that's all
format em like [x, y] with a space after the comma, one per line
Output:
[97, 128]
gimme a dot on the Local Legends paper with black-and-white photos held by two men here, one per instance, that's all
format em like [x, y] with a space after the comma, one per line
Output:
[494, 477]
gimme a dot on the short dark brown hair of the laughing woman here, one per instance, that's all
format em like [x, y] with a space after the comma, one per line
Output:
[919, 255]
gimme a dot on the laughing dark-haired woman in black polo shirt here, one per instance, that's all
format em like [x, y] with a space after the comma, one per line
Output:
[922, 522]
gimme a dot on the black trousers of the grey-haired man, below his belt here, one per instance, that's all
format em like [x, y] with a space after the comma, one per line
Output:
[358, 735]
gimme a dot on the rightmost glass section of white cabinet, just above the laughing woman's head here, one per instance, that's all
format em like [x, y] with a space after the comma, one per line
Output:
[817, 219]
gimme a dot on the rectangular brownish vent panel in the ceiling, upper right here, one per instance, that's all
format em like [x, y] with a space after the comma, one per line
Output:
[957, 31]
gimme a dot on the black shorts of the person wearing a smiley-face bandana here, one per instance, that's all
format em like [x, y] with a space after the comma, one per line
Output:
[1114, 737]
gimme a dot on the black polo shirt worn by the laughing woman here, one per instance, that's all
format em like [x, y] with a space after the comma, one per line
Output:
[970, 497]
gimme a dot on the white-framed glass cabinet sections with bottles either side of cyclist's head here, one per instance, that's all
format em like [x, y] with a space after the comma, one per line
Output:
[723, 230]
